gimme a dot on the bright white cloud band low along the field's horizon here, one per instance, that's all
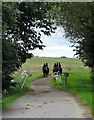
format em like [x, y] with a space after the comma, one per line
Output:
[55, 51]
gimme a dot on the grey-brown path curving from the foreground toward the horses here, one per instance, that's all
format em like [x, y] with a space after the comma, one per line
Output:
[45, 102]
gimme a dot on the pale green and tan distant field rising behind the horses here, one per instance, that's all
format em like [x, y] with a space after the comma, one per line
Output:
[35, 64]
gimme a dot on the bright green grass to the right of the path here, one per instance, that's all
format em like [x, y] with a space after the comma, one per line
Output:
[79, 83]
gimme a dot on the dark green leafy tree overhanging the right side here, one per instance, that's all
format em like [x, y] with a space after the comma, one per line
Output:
[77, 20]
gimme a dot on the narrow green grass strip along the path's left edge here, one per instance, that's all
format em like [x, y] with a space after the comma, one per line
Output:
[16, 92]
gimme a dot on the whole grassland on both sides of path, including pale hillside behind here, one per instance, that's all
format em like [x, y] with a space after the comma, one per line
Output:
[79, 82]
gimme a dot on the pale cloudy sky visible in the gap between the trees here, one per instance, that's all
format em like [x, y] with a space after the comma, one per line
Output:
[56, 46]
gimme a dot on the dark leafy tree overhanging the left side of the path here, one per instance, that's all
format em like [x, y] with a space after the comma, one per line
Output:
[20, 25]
